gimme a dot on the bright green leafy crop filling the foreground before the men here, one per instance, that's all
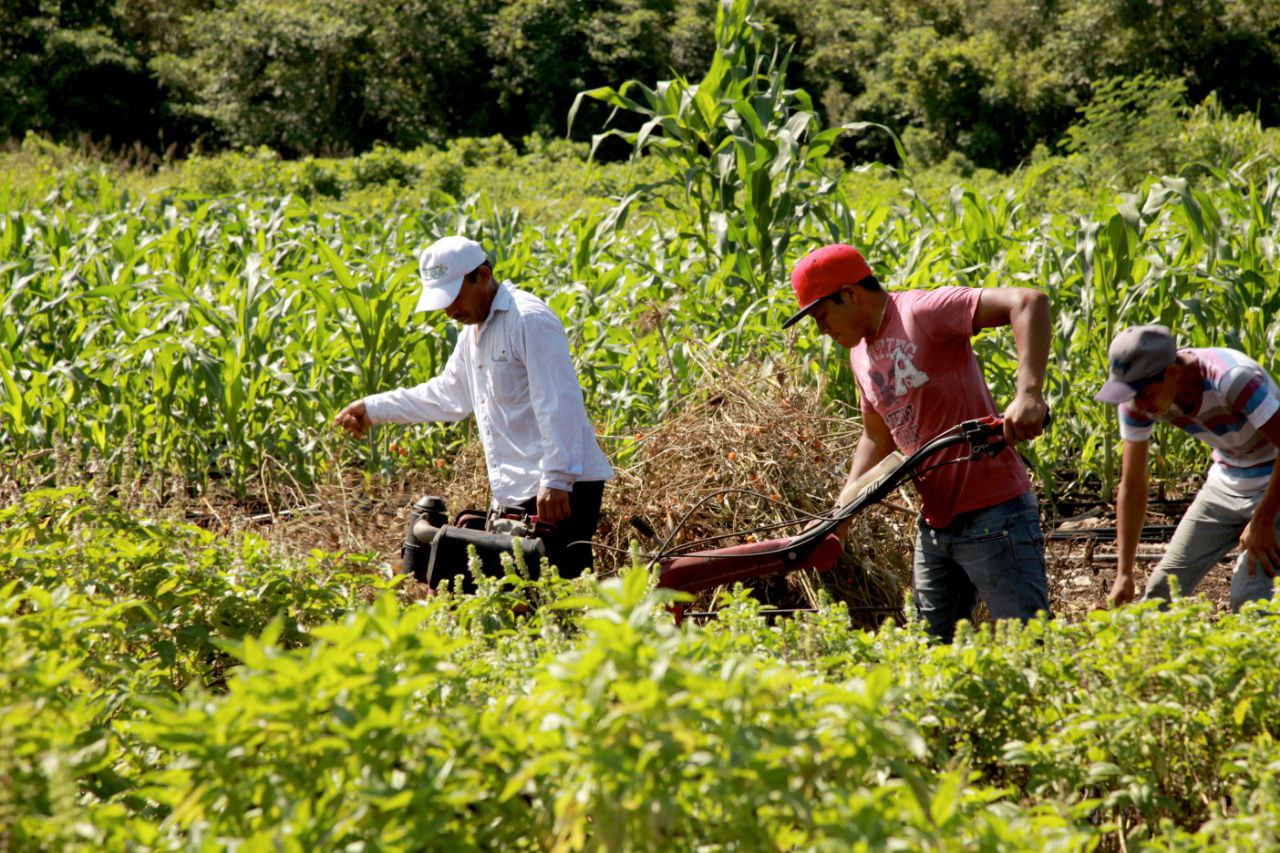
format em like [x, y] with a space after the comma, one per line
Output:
[591, 720]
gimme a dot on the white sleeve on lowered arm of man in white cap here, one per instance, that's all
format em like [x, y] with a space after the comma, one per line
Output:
[556, 398]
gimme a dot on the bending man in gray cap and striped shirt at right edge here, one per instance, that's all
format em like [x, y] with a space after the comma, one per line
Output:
[1227, 400]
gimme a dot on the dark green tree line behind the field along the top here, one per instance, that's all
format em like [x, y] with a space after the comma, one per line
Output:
[985, 81]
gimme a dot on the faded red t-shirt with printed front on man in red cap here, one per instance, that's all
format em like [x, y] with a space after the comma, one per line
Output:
[918, 373]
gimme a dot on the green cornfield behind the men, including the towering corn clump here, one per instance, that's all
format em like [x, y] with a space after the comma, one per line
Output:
[213, 336]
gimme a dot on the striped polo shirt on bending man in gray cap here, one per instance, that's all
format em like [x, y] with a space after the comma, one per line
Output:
[1240, 398]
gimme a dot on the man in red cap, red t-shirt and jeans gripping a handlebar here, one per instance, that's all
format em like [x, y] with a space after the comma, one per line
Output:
[917, 376]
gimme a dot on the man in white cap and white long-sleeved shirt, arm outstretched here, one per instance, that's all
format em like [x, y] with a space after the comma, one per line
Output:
[511, 368]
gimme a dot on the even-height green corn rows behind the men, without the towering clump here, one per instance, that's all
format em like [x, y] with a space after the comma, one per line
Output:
[216, 337]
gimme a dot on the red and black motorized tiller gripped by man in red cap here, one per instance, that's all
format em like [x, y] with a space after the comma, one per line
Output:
[436, 551]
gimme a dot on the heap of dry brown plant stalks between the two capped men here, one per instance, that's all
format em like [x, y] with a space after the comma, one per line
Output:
[746, 451]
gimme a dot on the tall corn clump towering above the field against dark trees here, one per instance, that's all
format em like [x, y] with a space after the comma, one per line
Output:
[742, 150]
